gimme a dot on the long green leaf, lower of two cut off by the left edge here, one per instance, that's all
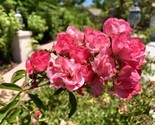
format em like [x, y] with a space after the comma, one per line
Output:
[4, 110]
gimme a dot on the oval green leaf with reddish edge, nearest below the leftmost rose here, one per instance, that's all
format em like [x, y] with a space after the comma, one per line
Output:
[18, 75]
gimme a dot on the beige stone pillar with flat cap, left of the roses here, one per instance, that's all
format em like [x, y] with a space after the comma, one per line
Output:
[21, 46]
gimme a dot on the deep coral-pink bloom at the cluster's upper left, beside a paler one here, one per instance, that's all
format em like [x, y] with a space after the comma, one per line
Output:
[64, 43]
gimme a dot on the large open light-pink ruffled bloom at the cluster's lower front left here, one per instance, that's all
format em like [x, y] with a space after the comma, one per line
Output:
[65, 73]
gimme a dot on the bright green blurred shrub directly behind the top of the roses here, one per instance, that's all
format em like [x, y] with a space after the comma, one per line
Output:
[60, 19]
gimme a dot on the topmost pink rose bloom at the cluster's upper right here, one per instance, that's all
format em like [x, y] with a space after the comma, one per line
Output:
[114, 26]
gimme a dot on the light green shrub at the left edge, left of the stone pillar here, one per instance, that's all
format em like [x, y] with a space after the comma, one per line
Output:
[8, 26]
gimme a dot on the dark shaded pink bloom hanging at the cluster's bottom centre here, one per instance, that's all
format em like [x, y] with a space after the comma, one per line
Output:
[96, 87]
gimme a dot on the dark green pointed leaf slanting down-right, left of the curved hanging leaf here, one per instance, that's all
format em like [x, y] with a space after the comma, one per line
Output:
[37, 101]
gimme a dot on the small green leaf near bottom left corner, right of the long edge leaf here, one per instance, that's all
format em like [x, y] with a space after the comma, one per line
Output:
[15, 112]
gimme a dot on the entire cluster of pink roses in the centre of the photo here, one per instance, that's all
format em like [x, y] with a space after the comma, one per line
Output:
[92, 58]
